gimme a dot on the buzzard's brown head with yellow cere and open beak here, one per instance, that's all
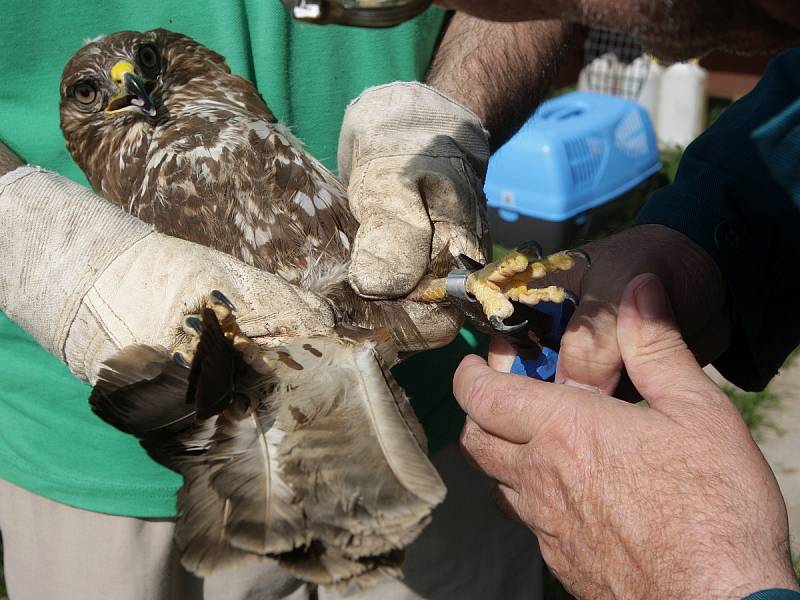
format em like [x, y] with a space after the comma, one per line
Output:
[118, 90]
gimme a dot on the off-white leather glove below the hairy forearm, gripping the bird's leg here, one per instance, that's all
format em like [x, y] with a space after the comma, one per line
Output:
[414, 162]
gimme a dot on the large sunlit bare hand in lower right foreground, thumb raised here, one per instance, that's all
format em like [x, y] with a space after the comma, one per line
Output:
[673, 500]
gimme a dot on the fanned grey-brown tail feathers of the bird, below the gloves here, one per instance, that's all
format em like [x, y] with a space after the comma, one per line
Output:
[316, 461]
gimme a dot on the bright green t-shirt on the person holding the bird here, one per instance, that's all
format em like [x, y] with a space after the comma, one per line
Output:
[50, 442]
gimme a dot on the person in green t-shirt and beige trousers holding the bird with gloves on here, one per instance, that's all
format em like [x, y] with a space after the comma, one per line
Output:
[83, 511]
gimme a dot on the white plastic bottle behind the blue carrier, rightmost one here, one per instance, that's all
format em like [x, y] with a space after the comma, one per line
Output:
[683, 104]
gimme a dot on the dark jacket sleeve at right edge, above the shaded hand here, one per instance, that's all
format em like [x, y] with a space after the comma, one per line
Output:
[726, 199]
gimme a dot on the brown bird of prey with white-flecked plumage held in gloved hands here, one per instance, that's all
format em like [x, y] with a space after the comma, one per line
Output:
[307, 452]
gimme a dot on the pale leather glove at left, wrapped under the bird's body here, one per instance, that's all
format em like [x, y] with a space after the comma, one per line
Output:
[86, 278]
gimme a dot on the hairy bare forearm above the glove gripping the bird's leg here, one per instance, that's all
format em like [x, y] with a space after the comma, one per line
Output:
[500, 71]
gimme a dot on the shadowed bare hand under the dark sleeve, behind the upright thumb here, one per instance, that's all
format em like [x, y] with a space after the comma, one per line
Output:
[590, 352]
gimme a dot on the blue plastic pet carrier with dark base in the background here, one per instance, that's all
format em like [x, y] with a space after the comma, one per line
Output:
[577, 168]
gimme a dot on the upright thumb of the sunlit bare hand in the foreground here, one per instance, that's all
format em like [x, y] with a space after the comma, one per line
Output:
[658, 361]
